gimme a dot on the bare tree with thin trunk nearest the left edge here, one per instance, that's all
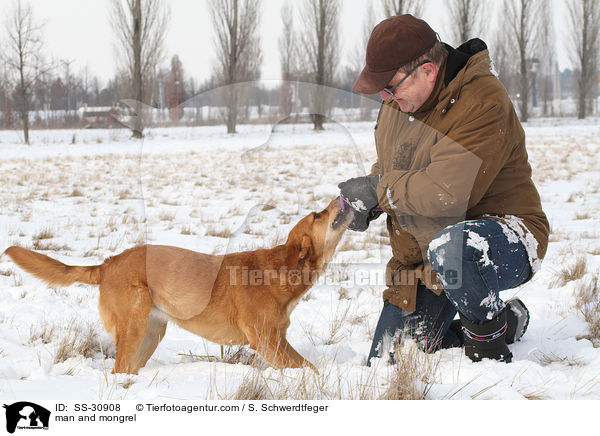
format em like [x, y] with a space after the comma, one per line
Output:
[22, 56]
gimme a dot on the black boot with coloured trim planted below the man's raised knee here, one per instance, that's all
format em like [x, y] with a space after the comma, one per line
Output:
[487, 340]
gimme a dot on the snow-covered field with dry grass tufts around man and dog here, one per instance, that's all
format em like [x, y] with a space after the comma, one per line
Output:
[82, 196]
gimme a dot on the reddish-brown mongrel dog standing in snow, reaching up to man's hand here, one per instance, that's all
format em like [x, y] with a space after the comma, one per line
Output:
[238, 298]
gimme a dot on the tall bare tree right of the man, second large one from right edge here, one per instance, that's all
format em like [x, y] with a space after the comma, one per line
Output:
[521, 20]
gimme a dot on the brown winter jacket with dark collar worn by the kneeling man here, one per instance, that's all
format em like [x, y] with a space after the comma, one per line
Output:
[460, 156]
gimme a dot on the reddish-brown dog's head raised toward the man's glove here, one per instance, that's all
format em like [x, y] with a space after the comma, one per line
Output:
[312, 241]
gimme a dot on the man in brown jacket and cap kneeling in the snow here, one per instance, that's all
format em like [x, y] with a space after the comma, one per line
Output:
[464, 217]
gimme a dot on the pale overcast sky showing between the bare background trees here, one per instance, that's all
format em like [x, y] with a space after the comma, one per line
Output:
[79, 30]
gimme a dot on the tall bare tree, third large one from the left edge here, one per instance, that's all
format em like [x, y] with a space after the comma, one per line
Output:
[239, 55]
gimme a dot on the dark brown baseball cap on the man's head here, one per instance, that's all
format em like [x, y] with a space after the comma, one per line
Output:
[394, 42]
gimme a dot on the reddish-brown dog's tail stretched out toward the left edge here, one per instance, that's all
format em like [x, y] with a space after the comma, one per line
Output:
[52, 271]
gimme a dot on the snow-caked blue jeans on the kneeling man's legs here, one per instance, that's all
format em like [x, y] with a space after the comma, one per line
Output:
[474, 260]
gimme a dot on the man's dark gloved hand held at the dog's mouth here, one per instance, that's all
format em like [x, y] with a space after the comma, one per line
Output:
[360, 193]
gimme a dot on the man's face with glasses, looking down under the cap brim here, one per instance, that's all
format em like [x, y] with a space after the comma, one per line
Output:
[415, 90]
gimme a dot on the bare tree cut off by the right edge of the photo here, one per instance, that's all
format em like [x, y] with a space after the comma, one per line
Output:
[584, 20]
